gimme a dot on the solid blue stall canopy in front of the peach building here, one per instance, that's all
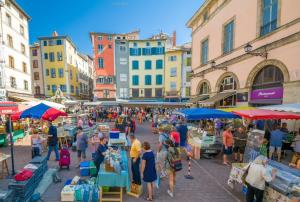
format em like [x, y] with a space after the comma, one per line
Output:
[204, 113]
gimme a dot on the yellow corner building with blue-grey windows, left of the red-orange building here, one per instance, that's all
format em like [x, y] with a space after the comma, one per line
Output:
[59, 63]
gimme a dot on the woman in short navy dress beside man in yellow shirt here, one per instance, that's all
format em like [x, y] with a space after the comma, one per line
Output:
[148, 169]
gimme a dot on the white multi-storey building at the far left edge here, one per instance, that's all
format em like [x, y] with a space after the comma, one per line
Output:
[15, 71]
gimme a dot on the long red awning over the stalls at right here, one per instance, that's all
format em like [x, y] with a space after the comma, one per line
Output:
[263, 114]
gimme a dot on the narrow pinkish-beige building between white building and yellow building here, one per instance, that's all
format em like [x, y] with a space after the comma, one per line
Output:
[37, 72]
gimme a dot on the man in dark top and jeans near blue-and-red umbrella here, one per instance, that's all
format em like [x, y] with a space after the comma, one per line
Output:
[52, 141]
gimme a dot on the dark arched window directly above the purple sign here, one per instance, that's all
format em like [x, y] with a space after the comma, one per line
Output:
[268, 77]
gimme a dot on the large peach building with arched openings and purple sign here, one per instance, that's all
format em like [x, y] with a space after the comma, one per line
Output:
[245, 53]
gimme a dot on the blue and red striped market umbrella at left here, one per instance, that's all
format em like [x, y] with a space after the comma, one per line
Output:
[40, 111]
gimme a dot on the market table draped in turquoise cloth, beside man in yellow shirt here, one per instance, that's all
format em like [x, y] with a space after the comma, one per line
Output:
[112, 179]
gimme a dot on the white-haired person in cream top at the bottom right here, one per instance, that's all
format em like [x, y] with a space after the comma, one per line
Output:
[257, 177]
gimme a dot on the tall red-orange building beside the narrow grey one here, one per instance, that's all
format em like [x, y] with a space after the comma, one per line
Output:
[104, 62]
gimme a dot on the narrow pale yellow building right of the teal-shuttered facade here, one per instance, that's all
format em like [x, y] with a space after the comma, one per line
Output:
[173, 74]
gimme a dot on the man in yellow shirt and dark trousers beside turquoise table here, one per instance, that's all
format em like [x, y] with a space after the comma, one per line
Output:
[135, 153]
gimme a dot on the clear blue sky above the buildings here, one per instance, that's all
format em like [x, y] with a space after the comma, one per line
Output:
[77, 18]
